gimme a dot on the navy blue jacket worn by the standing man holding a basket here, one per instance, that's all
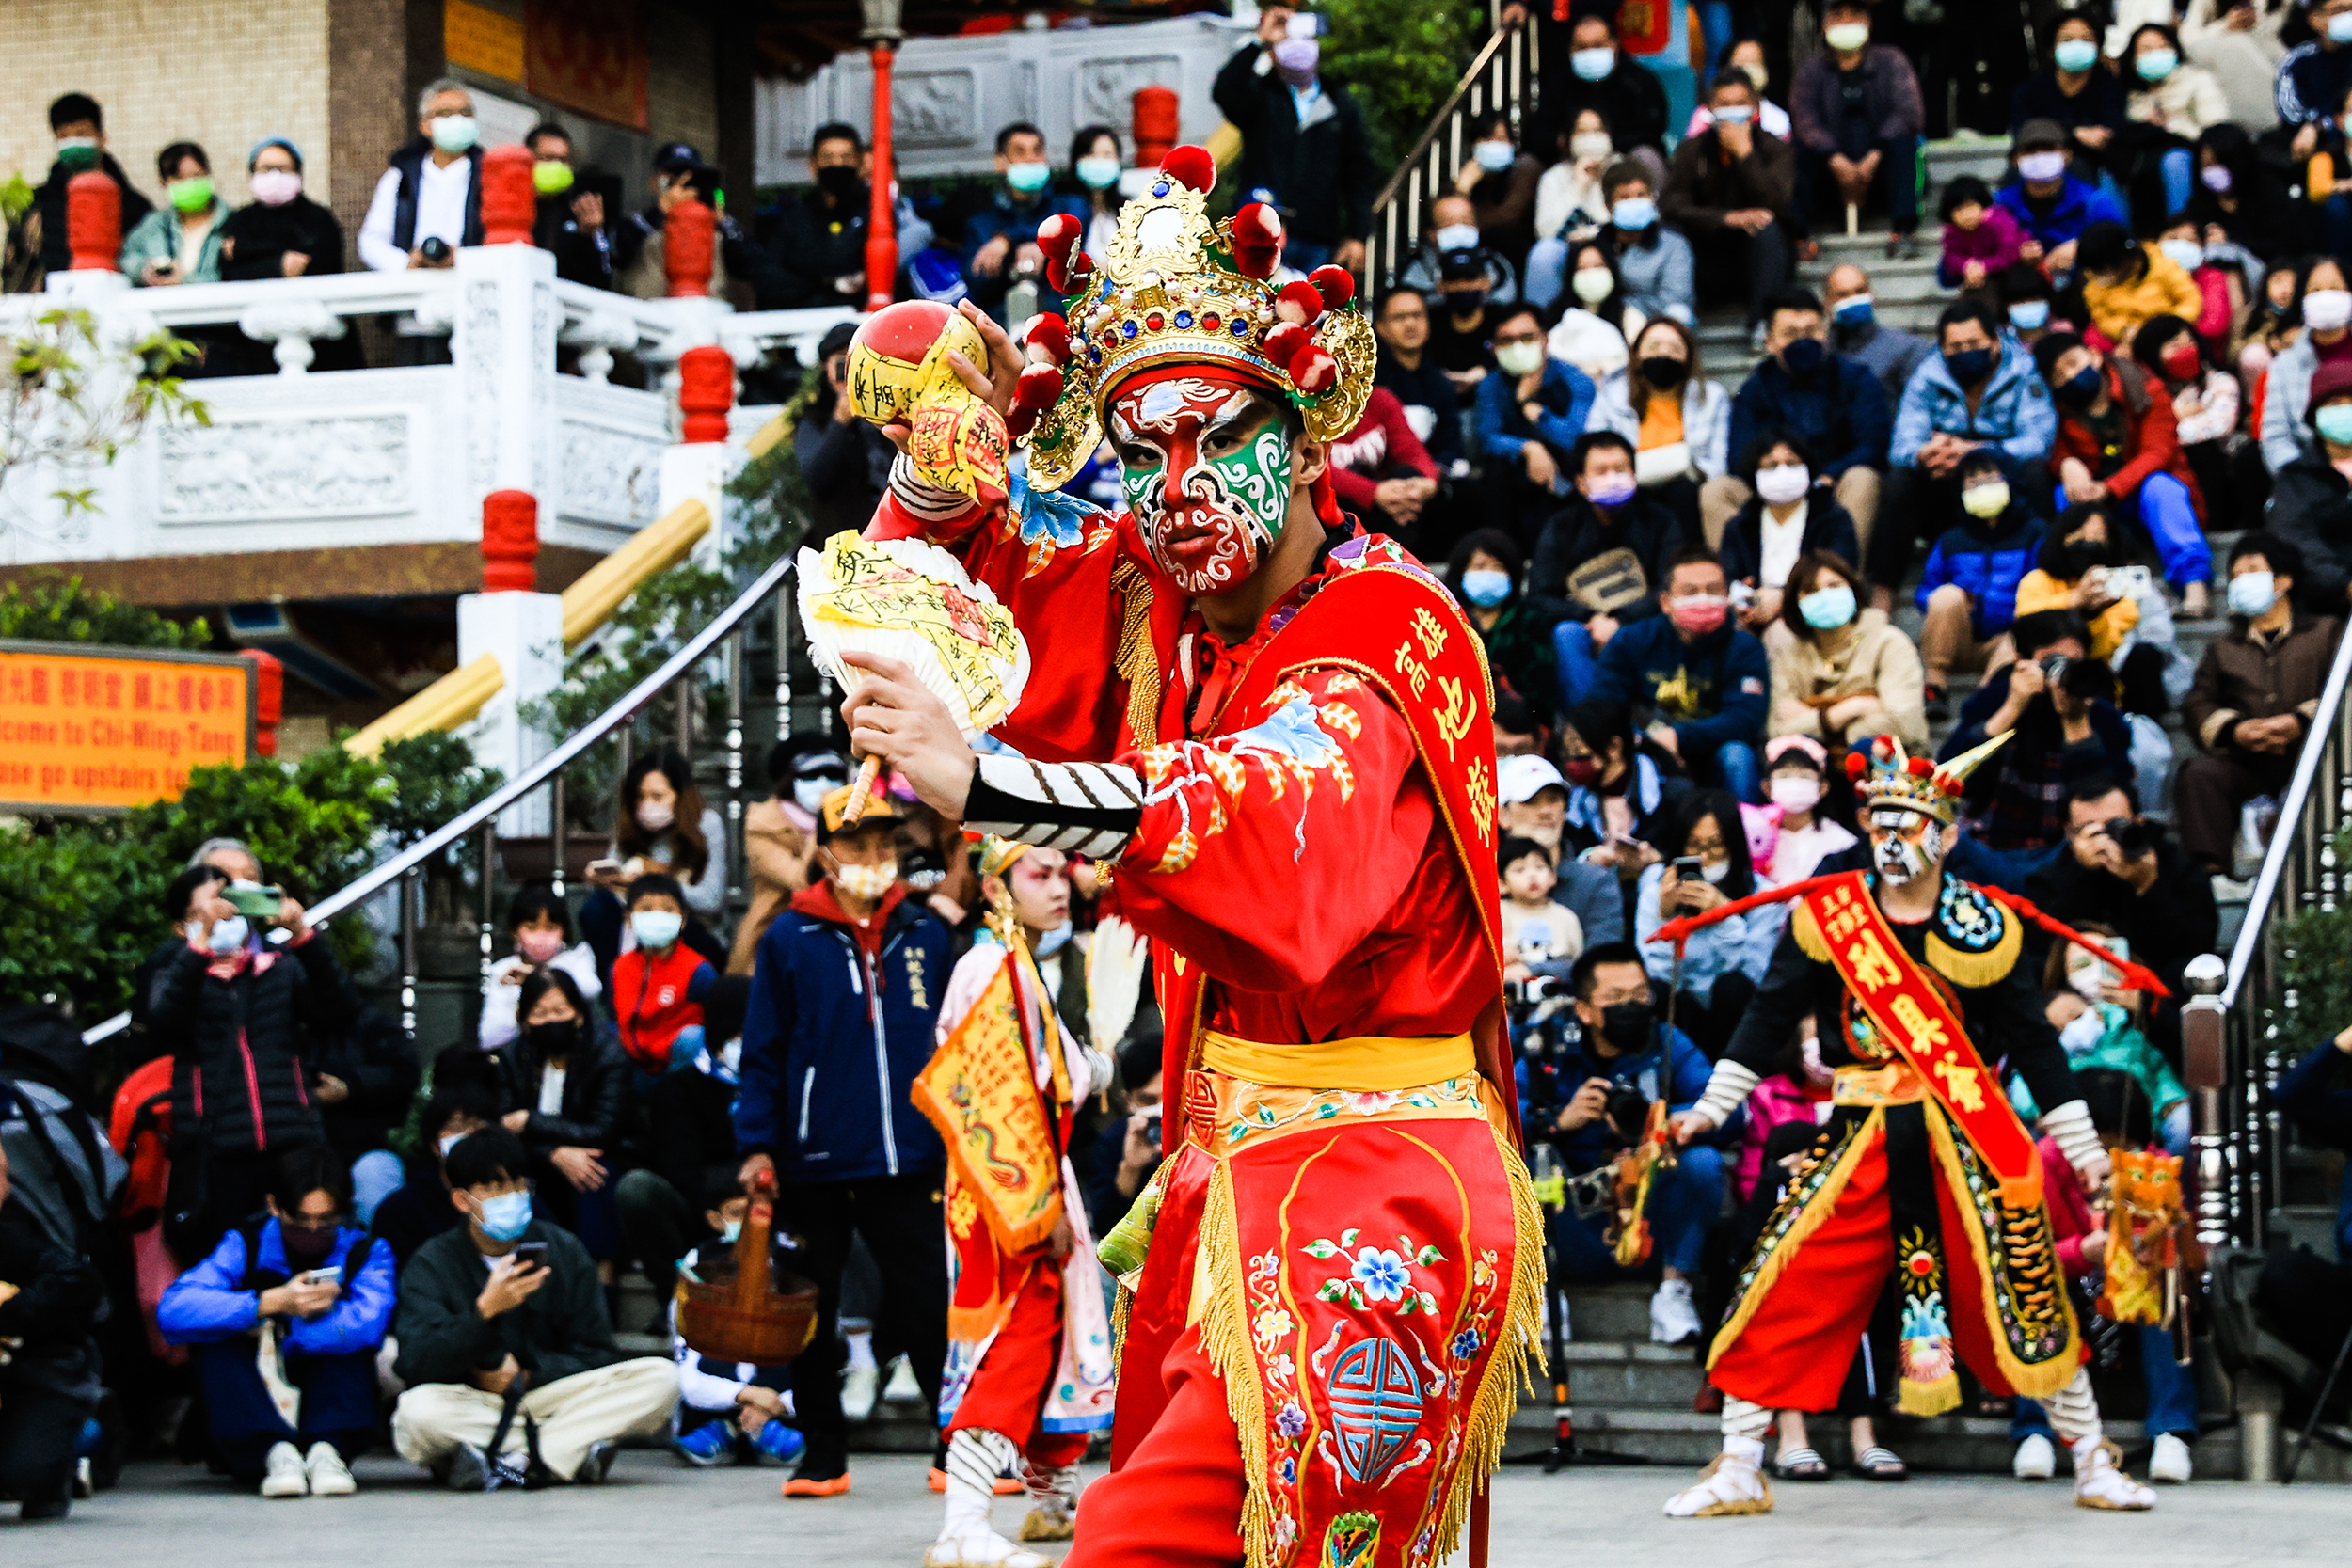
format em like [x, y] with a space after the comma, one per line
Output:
[827, 1071]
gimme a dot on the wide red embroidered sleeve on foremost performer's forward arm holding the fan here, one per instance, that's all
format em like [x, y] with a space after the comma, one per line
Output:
[1274, 852]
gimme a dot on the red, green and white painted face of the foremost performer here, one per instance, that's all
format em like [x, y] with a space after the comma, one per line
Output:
[1208, 474]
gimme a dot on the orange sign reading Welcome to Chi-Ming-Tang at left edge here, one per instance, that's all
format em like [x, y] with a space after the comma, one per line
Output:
[91, 730]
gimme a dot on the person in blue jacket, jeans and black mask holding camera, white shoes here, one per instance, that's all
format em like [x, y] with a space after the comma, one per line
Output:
[1624, 1061]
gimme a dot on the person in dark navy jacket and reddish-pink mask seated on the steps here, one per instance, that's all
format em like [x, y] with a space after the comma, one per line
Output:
[1702, 678]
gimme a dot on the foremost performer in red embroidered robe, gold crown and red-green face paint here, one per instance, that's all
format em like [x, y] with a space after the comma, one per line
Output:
[1278, 732]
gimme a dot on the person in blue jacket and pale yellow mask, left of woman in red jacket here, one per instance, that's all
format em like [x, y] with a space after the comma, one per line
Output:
[1970, 591]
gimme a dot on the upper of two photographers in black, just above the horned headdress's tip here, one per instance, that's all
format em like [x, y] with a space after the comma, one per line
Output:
[2057, 706]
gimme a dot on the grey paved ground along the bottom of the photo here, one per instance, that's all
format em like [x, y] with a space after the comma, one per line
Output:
[660, 1515]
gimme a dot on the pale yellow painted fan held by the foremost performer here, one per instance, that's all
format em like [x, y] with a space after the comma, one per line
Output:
[914, 603]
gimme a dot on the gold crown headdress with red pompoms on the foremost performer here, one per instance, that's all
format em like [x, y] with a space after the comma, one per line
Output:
[1175, 288]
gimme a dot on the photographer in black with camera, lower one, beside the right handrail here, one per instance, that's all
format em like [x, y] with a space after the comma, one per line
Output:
[2125, 873]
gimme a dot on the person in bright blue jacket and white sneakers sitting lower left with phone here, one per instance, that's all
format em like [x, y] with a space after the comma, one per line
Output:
[286, 1320]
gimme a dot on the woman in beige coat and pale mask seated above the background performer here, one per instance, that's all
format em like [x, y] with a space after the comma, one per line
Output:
[1840, 671]
